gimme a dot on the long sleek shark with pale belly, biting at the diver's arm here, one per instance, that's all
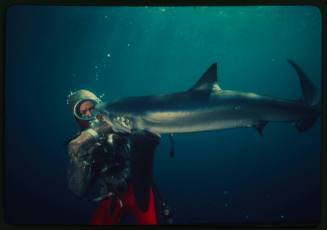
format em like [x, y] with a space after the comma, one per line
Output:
[207, 107]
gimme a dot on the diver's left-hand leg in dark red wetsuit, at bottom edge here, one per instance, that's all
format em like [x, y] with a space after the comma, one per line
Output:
[108, 212]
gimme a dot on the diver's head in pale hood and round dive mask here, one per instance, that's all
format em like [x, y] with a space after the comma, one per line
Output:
[82, 103]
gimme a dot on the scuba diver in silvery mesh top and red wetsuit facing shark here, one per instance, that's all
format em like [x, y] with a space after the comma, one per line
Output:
[112, 168]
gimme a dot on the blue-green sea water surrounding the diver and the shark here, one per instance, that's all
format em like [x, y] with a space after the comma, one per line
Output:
[230, 176]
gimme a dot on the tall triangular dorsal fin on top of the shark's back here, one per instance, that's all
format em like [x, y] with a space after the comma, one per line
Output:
[204, 86]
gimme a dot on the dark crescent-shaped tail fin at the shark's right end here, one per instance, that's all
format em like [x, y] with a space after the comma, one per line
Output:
[310, 97]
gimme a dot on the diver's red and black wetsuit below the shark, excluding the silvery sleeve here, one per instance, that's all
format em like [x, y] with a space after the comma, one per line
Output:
[140, 198]
